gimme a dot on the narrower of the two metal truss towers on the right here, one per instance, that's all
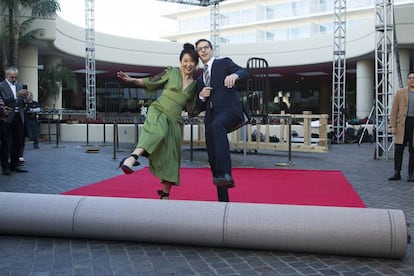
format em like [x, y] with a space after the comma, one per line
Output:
[339, 72]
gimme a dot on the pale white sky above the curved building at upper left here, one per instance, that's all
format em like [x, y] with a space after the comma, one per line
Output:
[130, 18]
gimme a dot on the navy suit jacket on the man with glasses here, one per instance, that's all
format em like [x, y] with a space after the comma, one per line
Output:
[222, 98]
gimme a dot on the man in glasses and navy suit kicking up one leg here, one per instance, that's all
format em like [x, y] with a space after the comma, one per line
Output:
[223, 112]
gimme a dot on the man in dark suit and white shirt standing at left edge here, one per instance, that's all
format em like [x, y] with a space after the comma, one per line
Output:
[14, 97]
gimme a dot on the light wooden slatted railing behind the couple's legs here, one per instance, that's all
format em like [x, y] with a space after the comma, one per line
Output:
[296, 132]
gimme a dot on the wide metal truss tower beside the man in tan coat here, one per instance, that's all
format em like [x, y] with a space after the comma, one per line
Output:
[384, 61]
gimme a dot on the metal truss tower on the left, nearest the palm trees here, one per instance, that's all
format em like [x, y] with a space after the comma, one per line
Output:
[90, 72]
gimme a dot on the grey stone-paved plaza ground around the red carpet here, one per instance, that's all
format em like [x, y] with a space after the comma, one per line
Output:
[53, 170]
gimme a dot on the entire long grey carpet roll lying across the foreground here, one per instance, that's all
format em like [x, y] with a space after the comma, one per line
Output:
[313, 229]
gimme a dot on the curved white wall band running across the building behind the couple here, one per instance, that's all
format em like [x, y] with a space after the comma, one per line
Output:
[359, 42]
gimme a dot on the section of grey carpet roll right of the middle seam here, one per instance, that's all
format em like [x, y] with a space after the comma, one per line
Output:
[330, 230]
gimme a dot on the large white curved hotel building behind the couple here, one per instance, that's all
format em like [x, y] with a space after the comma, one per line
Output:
[294, 37]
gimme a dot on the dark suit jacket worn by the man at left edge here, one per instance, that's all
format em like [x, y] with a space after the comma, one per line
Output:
[8, 98]
